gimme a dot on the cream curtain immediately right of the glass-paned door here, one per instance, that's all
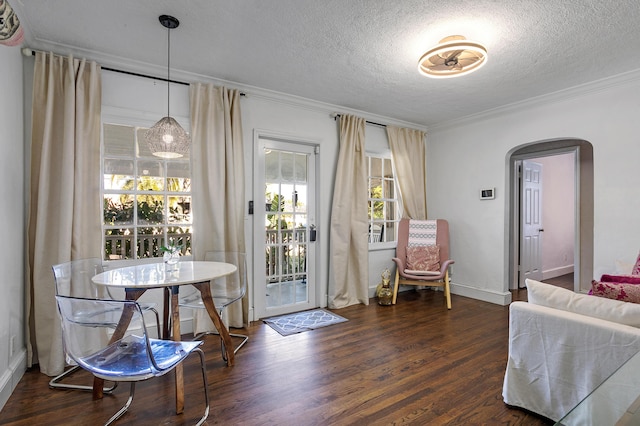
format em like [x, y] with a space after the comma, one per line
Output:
[349, 255]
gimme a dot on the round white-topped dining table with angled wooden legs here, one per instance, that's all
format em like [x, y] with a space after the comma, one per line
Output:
[137, 279]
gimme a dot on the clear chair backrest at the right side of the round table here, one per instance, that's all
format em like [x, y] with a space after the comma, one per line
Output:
[226, 290]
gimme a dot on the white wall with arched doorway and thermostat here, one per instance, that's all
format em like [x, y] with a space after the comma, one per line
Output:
[466, 156]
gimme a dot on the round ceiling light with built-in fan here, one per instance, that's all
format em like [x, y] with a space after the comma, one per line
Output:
[454, 56]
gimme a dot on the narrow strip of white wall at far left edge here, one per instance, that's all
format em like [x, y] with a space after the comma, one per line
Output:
[13, 218]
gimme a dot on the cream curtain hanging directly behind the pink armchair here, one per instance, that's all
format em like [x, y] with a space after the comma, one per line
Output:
[409, 158]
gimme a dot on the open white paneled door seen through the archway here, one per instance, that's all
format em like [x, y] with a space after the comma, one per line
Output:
[531, 222]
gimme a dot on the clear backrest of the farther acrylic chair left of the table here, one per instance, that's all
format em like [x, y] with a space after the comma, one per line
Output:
[73, 278]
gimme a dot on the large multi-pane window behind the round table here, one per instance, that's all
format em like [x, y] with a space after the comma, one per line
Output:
[146, 199]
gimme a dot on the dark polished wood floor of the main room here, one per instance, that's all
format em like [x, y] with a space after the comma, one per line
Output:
[412, 363]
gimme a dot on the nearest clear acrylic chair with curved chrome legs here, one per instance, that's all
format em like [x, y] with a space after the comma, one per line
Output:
[87, 325]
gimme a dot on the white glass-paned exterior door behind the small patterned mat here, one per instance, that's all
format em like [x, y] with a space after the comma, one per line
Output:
[285, 217]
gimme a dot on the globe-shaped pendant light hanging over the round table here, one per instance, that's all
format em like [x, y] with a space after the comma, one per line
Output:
[167, 139]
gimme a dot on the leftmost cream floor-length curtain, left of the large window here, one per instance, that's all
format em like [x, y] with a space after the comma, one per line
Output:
[65, 207]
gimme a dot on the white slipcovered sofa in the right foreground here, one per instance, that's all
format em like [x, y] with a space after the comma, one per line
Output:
[562, 345]
